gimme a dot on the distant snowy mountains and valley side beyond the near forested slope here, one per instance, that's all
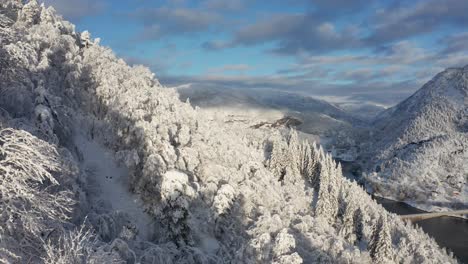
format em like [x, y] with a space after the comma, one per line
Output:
[414, 152]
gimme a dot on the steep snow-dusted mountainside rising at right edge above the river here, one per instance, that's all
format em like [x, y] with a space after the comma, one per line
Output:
[420, 146]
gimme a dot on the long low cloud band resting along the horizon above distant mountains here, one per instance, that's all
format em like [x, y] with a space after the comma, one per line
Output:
[381, 93]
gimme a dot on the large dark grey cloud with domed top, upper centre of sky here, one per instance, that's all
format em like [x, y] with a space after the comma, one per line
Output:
[293, 33]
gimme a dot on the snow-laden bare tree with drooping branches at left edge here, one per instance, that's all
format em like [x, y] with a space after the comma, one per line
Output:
[31, 198]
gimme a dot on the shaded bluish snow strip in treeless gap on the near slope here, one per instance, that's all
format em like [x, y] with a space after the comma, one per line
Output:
[111, 184]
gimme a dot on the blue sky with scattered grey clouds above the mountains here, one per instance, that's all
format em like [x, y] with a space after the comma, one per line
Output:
[361, 51]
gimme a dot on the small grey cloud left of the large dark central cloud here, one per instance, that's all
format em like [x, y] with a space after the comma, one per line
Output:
[164, 21]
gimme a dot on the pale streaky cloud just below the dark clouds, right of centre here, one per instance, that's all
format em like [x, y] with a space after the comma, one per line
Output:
[391, 62]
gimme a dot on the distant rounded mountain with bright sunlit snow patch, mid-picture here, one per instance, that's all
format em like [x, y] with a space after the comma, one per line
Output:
[317, 116]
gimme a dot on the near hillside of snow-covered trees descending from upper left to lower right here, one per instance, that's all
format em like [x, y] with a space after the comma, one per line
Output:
[102, 164]
